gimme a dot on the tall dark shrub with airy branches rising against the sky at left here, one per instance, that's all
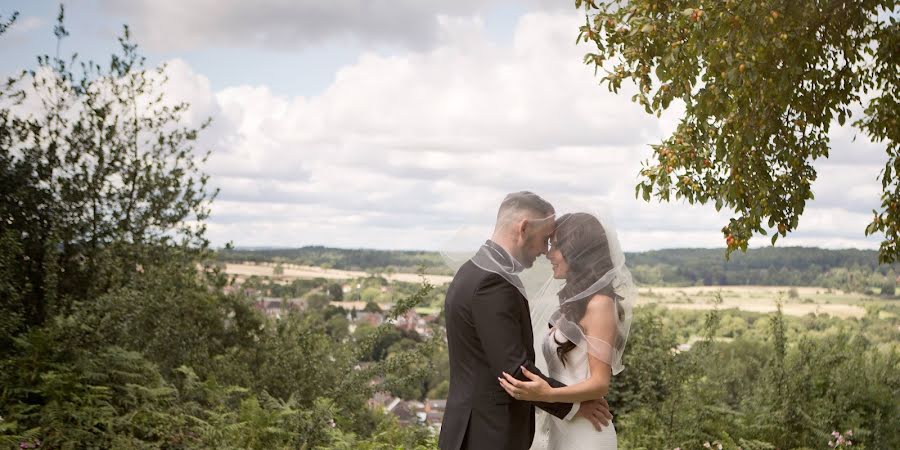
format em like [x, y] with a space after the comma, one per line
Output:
[98, 179]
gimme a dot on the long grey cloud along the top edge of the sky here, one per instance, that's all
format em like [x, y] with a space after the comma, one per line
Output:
[294, 24]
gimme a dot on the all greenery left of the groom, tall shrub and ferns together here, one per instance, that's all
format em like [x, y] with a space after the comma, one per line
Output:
[115, 328]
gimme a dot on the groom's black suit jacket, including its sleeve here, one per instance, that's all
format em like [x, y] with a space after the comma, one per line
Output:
[488, 332]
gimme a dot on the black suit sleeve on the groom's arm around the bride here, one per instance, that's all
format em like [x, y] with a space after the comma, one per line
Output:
[496, 312]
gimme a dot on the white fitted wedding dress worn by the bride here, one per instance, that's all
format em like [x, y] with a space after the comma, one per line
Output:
[578, 433]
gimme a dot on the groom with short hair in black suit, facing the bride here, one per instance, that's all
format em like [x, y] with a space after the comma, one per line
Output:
[489, 332]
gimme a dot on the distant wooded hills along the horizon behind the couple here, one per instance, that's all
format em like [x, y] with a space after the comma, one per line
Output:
[851, 269]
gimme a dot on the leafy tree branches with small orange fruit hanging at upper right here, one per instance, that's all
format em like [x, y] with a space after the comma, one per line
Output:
[762, 82]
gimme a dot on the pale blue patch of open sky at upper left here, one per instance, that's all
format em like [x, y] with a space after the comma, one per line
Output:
[93, 31]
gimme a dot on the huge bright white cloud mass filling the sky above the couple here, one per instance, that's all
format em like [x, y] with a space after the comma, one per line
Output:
[400, 151]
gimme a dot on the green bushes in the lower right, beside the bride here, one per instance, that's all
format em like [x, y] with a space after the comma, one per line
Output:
[787, 387]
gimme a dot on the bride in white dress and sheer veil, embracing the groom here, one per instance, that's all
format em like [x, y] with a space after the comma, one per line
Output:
[587, 307]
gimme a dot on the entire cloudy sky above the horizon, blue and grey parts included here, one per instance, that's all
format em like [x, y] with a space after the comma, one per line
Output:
[396, 124]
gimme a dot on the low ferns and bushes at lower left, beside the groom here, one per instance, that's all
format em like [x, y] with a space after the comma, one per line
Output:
[168, 362]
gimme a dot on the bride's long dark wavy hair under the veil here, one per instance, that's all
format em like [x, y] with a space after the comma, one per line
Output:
[582, 241]
